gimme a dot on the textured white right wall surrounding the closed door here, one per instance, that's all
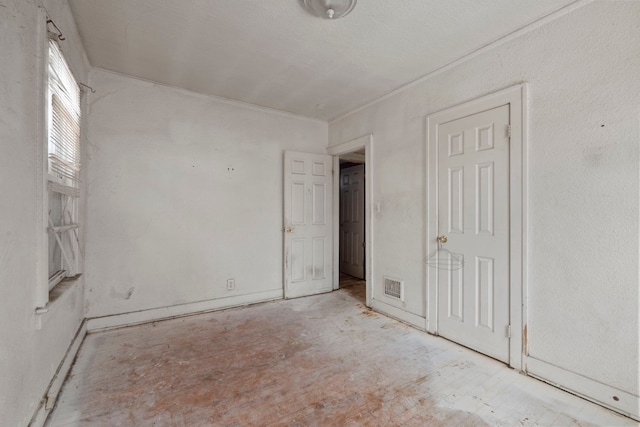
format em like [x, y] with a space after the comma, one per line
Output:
[582, 72]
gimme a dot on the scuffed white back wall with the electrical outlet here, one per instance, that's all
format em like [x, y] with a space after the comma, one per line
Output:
[185, 192]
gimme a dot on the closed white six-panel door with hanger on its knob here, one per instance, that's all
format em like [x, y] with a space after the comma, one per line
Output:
[473, 214]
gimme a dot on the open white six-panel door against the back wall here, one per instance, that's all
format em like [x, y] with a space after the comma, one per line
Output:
[308, 224]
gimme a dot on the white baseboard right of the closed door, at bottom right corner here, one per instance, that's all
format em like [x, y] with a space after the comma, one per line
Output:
[617, 400]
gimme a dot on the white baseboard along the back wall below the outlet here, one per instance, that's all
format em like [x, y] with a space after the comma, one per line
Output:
[163, 313]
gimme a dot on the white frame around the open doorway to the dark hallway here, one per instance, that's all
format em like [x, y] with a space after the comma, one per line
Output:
[366, 142]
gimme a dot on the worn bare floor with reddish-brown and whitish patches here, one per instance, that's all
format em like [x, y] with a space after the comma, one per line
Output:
[318, 361]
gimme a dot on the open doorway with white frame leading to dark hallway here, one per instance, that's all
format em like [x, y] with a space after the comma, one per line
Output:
[352, 217]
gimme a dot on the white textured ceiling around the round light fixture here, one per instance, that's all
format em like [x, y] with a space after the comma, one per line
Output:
[274, 54]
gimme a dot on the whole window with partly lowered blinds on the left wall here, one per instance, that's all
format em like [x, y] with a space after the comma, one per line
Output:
[63, 191]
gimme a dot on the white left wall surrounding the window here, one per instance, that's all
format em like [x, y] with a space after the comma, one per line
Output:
[28, 357]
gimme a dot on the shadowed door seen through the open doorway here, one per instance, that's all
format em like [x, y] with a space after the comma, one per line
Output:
[352, 243]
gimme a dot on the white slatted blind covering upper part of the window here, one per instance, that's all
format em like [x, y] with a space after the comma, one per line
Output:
[64, 123]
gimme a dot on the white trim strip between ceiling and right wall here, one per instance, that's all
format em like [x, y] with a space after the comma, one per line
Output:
[498, 42]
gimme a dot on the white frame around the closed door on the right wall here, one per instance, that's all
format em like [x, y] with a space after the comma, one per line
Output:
[516, 97]
